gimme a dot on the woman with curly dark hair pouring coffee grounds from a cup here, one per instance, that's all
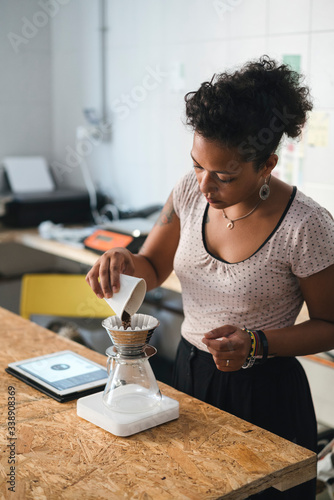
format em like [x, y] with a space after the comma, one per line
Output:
[248, 249]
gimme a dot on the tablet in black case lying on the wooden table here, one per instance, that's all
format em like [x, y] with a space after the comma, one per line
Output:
[63, 375]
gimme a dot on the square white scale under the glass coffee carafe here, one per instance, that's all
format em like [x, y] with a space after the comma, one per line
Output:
[92, 408]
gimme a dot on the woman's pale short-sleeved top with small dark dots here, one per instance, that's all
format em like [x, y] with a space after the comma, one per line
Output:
[261, 292]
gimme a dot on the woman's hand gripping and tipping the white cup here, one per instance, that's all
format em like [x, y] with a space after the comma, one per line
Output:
[103, 277]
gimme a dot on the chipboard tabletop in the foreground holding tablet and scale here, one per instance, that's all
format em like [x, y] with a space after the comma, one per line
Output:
[205, 454]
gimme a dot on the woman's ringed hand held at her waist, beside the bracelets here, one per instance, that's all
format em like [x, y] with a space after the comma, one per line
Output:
[229, 346]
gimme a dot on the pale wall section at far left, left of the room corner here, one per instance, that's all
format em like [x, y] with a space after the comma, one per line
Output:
[25, 79]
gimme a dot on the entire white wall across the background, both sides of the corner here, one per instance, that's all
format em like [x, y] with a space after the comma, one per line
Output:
[156, 52]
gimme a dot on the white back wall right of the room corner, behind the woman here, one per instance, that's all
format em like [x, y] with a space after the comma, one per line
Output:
[188, 41]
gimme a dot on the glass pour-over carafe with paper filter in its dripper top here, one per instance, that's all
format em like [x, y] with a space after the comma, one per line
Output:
[131, 386]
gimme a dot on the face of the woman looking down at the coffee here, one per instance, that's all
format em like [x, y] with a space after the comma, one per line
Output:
[223, 178]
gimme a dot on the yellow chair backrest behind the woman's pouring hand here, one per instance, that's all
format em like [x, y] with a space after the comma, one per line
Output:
[66, 295]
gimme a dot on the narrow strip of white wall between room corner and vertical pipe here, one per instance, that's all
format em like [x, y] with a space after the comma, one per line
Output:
[75, 86]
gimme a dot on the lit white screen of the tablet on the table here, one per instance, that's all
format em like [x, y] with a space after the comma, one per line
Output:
[64, 371]
